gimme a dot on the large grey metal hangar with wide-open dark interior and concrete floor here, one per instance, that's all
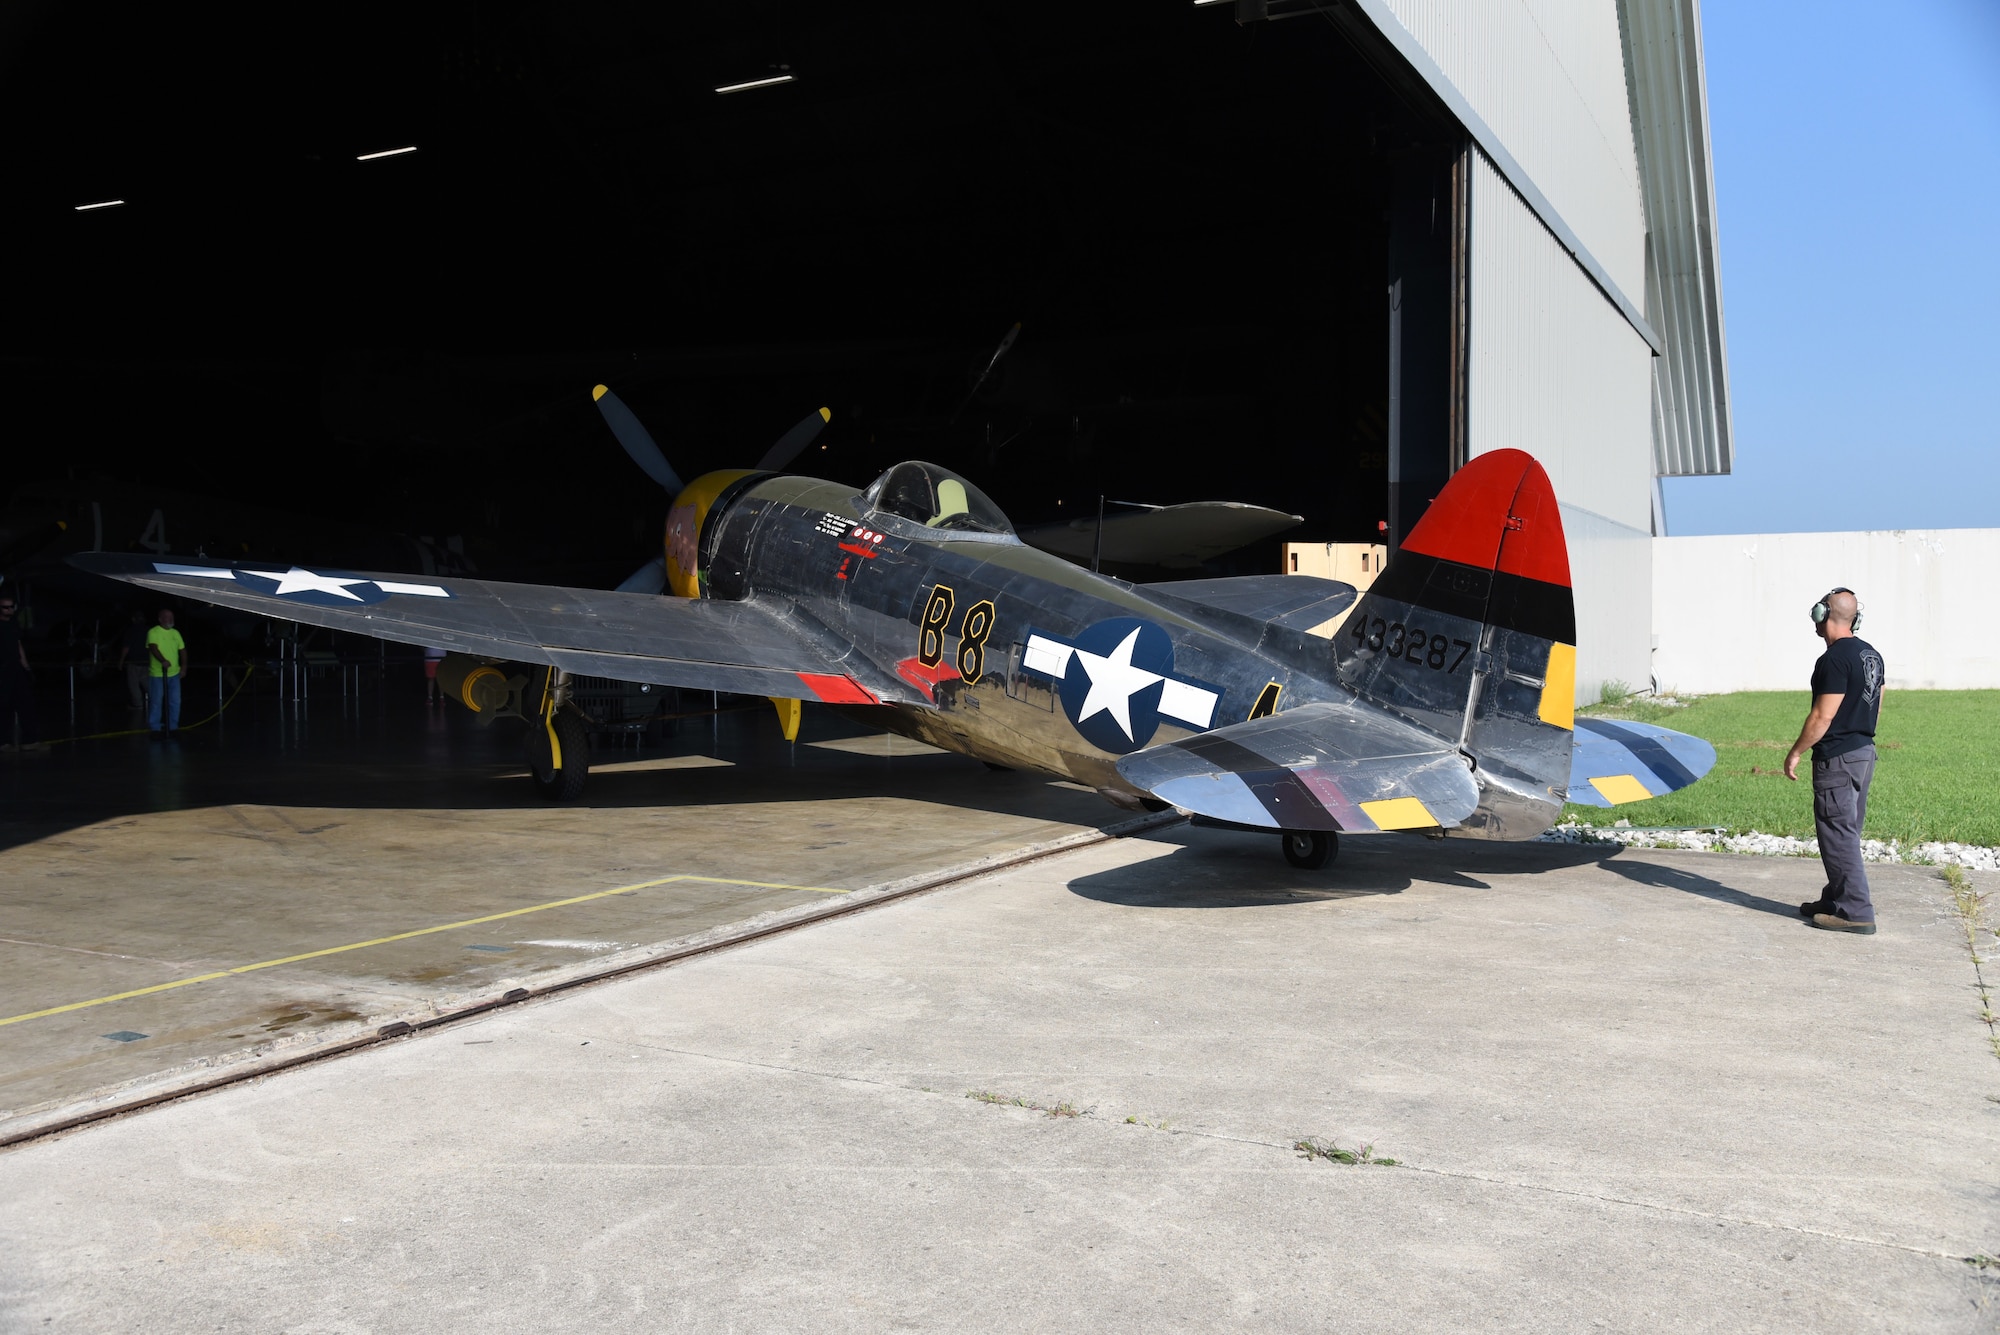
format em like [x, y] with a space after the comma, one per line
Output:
[339, 293]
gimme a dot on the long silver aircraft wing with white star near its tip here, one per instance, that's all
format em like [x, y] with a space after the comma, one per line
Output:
[753, 647]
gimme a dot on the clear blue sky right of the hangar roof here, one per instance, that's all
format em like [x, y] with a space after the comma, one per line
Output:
[1859, 211]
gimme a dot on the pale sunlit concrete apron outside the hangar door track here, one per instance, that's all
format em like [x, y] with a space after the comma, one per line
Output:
[1629, 1090]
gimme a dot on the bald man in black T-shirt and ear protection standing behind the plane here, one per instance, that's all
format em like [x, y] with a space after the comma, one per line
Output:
[1847, 698]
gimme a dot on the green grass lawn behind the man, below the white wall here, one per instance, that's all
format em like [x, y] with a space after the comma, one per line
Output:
[1939, 772]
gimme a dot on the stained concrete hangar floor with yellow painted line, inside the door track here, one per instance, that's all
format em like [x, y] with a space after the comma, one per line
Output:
[161, 952]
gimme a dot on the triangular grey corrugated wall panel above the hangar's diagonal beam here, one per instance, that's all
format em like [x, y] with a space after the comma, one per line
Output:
[1549, 79]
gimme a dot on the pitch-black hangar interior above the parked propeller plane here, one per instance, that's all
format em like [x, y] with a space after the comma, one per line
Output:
[1195, 221]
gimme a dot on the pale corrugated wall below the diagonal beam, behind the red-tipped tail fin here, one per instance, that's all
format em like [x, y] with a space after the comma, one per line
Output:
[1553, 369]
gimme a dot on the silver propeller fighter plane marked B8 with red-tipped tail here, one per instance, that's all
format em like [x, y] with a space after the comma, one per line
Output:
[1443, 702]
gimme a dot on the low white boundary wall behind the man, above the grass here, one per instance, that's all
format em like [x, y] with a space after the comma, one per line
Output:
[1731, 615]
